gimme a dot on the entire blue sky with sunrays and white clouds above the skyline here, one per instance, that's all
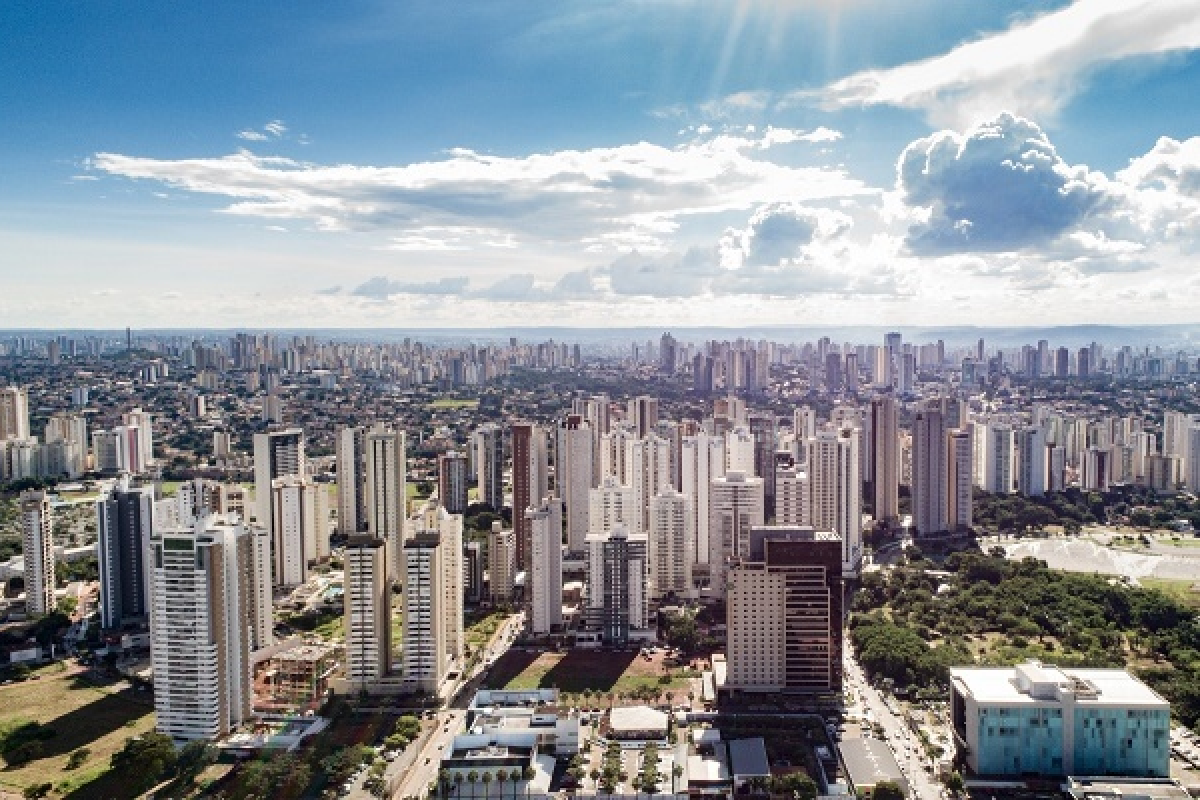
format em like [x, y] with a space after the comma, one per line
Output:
[394, 164]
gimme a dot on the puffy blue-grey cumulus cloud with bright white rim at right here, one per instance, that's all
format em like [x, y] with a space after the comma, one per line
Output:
[998, 188]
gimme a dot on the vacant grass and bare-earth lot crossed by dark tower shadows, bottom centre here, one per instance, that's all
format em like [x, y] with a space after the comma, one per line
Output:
[575, 671]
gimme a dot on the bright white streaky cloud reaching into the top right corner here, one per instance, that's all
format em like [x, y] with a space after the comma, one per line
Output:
[1033, 69]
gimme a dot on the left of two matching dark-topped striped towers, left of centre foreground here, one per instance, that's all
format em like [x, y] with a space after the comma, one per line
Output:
[368, 601]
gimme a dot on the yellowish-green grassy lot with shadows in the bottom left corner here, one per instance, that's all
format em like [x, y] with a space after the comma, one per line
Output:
[82, 715]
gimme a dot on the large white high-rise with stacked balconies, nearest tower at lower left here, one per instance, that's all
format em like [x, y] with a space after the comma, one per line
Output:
[202, 594]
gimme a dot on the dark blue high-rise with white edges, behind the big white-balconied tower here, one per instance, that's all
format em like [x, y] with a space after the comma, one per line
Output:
[125, 525]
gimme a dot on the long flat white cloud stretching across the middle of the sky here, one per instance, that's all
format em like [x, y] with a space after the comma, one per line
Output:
[634, 194]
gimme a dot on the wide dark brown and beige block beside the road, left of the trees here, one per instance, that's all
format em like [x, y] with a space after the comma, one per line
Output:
[784, 615]
